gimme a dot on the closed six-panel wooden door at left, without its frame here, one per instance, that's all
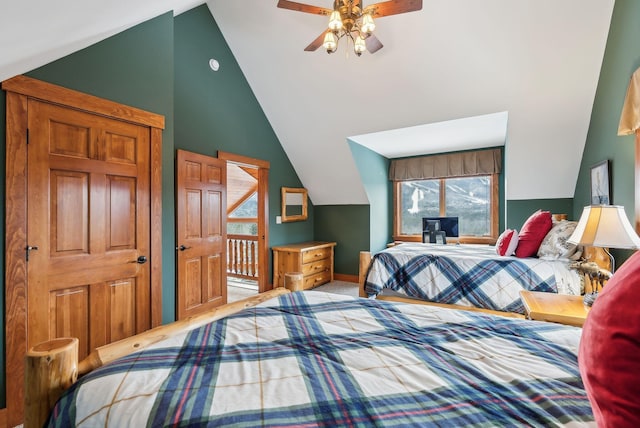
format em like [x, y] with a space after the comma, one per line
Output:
[88, 222]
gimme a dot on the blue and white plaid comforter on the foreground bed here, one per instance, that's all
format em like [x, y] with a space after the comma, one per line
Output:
[315, 359]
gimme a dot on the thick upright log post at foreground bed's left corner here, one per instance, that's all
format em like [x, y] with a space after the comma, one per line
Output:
[50, 368]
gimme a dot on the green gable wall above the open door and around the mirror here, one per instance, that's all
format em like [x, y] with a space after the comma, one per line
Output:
[218, 111]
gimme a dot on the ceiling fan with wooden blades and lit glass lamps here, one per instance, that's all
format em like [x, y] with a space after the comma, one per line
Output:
[351, 19]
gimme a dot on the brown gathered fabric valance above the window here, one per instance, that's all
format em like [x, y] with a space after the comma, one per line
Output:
[461, 164]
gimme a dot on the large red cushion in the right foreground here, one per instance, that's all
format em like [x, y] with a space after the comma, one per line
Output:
[609, 355]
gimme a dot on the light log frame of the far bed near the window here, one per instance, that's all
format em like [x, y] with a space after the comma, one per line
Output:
[594, 254]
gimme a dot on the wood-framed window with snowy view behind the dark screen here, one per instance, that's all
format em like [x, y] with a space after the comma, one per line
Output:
[473, 199]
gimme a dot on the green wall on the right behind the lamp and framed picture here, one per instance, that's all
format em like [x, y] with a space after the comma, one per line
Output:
[621, 59]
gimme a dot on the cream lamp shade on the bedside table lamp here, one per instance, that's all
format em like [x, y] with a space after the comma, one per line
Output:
[605, 226]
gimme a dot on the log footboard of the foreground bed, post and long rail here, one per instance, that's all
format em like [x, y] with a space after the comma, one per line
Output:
[52, 367]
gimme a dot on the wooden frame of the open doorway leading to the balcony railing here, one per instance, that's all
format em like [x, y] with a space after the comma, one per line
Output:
[263, 213]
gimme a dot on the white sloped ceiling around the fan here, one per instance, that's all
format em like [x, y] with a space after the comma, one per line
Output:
[533, 63]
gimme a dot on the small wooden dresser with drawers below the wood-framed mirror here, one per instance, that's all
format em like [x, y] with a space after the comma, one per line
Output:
[314, 259]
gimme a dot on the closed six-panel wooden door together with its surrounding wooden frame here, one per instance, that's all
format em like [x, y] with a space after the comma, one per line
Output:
[110, 144]
